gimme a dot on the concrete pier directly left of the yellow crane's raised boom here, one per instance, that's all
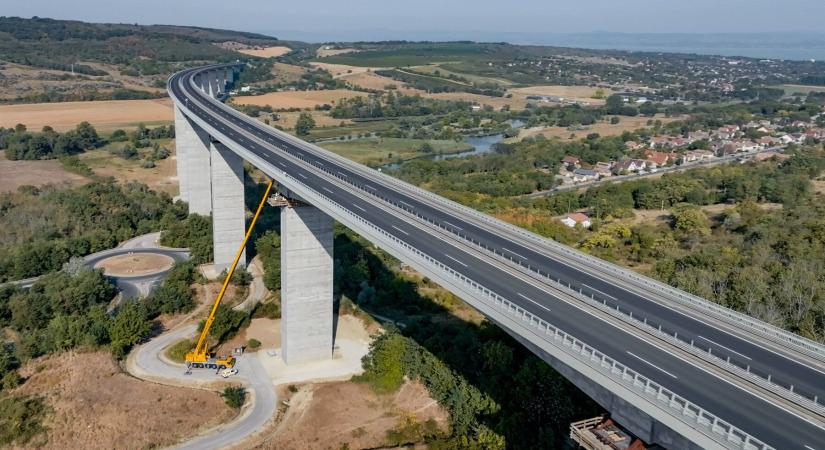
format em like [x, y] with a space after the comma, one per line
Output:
[228, 214]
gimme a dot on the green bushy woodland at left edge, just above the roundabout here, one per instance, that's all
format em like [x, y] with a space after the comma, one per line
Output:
[42, 228]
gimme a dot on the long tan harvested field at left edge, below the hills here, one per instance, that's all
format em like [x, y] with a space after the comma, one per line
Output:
[105, 115]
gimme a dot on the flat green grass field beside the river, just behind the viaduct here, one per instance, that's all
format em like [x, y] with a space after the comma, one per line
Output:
[386, 150]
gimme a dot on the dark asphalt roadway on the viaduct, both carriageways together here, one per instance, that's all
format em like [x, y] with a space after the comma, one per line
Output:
[386, 205]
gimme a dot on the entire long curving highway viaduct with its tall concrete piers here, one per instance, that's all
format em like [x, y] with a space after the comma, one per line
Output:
[673, 368]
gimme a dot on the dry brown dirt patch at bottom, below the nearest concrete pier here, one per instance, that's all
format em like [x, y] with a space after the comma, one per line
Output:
[328, 416]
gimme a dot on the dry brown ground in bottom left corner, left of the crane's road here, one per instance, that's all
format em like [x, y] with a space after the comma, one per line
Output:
[94, 405]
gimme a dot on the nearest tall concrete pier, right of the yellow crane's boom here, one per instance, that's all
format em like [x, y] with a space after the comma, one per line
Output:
[306, 284]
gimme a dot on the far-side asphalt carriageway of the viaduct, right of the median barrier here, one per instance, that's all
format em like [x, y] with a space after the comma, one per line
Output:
[806, 380]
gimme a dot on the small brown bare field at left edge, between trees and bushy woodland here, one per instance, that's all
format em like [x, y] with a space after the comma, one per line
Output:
[14, 174]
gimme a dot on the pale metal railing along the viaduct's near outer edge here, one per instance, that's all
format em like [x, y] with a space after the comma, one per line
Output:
[678, 407]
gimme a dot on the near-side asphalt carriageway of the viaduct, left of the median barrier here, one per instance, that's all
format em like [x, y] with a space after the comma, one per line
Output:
[763, 420]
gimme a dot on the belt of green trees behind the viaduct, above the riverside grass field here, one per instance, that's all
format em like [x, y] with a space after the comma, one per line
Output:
[394, 105]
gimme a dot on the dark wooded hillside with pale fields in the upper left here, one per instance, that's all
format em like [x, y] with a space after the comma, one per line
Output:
[58, 60]
